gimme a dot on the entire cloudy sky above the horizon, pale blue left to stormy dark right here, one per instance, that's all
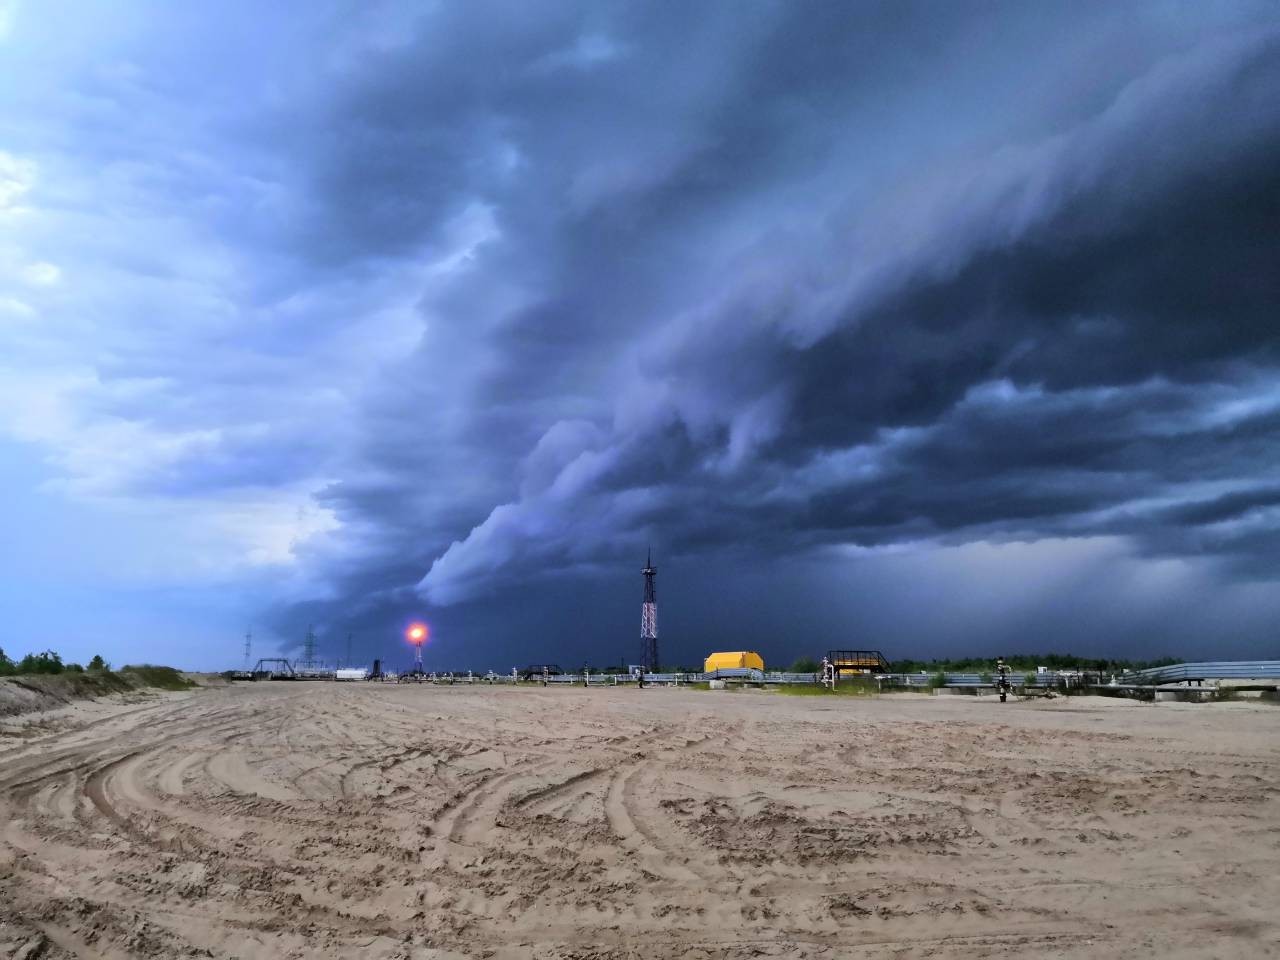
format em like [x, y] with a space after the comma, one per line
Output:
[935, 328]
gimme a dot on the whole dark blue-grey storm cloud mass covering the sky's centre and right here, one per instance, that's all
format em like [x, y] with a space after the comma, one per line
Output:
[778, 278]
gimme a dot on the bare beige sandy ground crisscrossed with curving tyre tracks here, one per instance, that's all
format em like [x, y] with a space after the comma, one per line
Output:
[378, 821]
